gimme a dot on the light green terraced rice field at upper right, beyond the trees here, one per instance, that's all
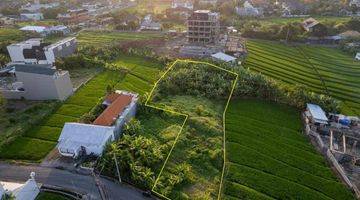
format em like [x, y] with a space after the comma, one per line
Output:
[323, 70]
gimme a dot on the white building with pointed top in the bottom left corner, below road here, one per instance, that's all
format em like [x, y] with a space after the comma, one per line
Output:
[26, 191]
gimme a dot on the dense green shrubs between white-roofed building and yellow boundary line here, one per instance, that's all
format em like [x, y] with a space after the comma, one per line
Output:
[143, 148]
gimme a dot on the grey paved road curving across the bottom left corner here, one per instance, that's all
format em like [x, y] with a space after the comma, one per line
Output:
[67, 180]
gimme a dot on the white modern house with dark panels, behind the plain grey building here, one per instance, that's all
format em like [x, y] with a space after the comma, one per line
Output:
[35, 51]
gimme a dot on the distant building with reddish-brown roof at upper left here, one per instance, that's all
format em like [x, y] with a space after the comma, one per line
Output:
[76, 16]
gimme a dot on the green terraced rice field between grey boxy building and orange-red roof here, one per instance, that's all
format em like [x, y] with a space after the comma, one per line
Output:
[40, 140]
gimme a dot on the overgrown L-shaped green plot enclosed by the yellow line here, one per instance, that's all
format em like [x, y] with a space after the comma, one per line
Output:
[194, 166]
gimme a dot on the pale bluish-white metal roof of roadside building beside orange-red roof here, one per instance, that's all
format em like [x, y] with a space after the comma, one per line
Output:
[86, 138]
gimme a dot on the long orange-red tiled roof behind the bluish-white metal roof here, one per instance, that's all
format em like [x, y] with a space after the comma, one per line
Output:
[111, 113]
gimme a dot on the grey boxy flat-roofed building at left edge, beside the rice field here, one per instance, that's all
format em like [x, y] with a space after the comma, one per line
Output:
[37, 82]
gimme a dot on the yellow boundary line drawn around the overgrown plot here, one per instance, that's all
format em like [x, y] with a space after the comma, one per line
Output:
[186, 118]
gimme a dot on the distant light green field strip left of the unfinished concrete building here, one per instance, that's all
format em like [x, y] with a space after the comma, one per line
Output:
[100, 38]
